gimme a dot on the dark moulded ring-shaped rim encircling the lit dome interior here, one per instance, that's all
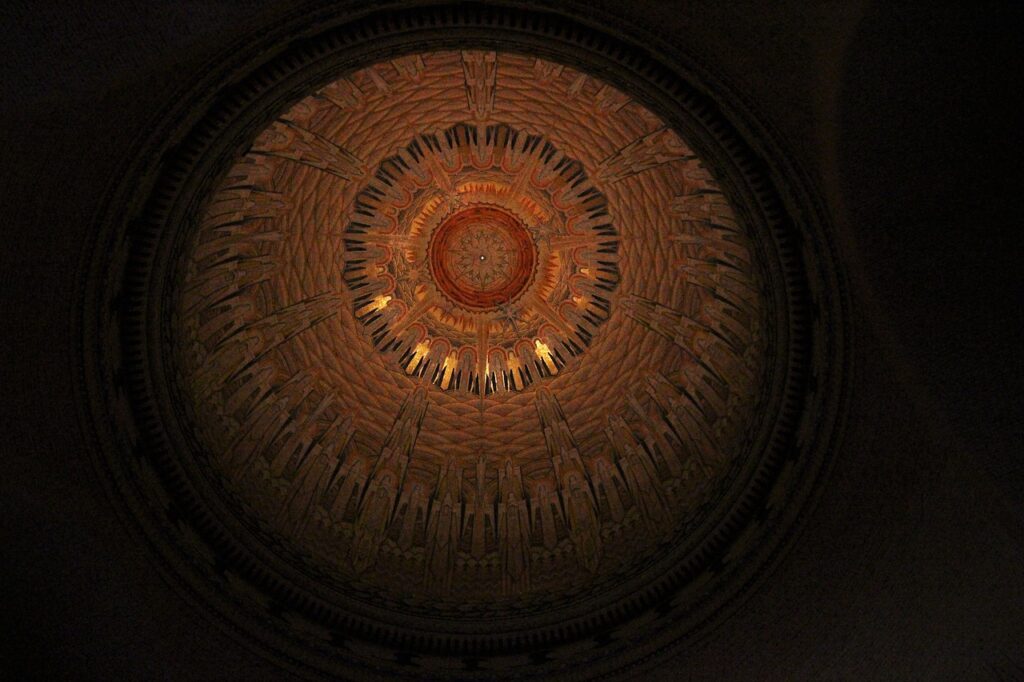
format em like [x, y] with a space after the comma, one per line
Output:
[123, 333]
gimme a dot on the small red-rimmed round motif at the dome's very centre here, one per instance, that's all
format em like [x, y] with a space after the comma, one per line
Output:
[482, 258]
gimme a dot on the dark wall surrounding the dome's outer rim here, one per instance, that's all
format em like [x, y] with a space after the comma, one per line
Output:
[908, 119]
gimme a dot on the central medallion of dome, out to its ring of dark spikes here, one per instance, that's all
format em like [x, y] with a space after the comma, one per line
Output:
[482, 259]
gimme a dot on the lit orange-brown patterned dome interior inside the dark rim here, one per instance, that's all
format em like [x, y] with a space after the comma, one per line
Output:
[471, 332]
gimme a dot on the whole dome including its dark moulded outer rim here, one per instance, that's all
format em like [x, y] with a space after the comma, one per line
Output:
[462, 363]
